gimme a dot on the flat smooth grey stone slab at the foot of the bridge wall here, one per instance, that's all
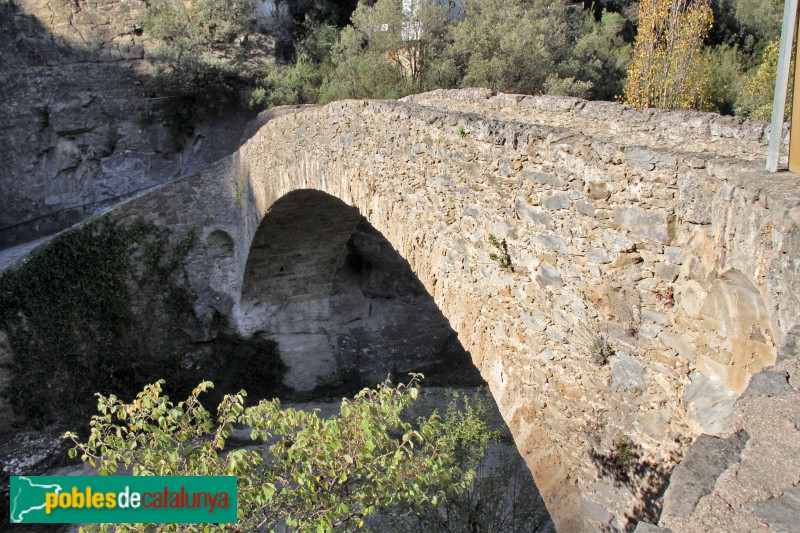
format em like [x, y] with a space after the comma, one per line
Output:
[698, 472]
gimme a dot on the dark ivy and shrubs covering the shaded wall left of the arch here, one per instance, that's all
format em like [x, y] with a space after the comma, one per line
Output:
[106, 307]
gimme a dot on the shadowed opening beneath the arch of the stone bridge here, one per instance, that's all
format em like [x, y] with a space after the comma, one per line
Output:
[340, 301]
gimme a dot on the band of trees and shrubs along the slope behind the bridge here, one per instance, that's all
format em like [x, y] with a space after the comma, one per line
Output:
[660, 53]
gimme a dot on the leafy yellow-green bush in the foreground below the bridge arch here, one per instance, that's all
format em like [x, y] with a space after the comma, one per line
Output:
[307, 473]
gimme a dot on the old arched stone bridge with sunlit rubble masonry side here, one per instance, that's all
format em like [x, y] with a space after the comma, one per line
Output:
[645, 267]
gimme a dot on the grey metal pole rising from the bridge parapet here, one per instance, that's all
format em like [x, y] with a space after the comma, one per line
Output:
[781, 83]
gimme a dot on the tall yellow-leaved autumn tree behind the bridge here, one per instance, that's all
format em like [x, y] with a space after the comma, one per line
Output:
[668, 70]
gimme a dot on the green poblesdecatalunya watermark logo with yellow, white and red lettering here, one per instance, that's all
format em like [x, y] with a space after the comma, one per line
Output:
[122, 499]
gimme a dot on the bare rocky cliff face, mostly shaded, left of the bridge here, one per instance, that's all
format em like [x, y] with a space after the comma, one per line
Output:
[84, 123]
